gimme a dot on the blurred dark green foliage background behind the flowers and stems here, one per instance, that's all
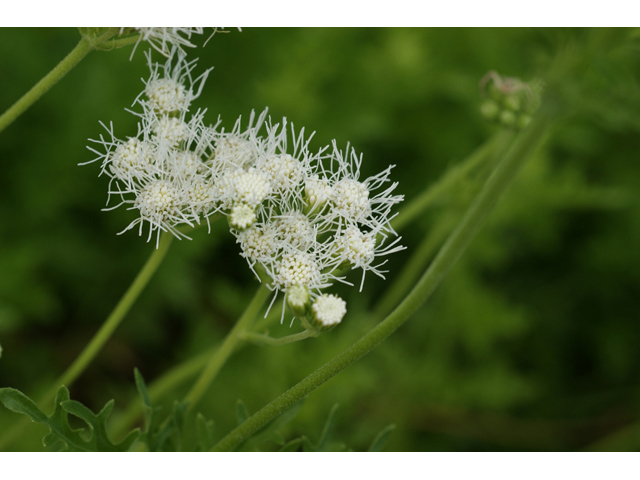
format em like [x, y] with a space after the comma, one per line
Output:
[531, 342]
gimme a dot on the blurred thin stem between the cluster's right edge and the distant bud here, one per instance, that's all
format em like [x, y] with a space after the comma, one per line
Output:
[495, 146]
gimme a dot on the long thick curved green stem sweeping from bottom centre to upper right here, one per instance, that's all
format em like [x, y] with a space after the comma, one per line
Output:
[447, 256]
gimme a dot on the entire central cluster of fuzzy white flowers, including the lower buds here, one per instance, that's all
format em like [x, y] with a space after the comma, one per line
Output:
[302, 219]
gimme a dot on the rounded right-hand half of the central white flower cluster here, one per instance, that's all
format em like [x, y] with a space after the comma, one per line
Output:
[314, 218]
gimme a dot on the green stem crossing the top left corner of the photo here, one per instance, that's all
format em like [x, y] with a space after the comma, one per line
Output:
[71, 60]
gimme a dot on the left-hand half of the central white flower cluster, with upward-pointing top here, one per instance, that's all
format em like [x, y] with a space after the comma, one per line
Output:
[162, 171]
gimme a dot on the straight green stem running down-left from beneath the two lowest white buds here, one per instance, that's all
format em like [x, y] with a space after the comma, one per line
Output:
[221, 355]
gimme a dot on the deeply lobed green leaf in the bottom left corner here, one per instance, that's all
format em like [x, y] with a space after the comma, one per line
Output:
[62, 436]
